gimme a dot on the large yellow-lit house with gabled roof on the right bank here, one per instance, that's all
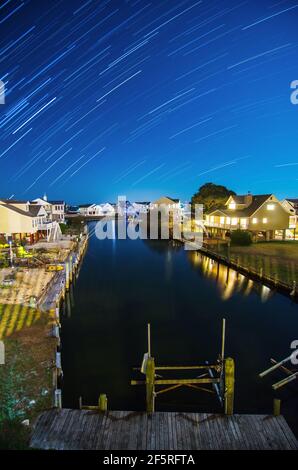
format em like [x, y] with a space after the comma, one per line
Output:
[263, 215]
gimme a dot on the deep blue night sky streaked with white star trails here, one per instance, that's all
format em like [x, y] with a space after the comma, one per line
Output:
[147, 98]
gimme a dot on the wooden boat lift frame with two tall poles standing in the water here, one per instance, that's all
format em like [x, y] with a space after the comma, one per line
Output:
[221, 377]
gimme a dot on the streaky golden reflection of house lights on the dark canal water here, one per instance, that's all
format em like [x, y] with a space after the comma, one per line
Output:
[228, 280]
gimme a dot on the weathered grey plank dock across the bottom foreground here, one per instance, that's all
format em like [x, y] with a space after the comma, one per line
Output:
[67, 429]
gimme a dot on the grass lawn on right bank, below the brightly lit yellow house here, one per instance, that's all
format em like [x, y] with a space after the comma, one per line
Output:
[275, 257]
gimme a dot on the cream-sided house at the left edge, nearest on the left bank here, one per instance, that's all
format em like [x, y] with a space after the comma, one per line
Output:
[22, 221]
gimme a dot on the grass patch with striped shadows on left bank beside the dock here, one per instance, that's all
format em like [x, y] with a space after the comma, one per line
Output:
[26, 376]
